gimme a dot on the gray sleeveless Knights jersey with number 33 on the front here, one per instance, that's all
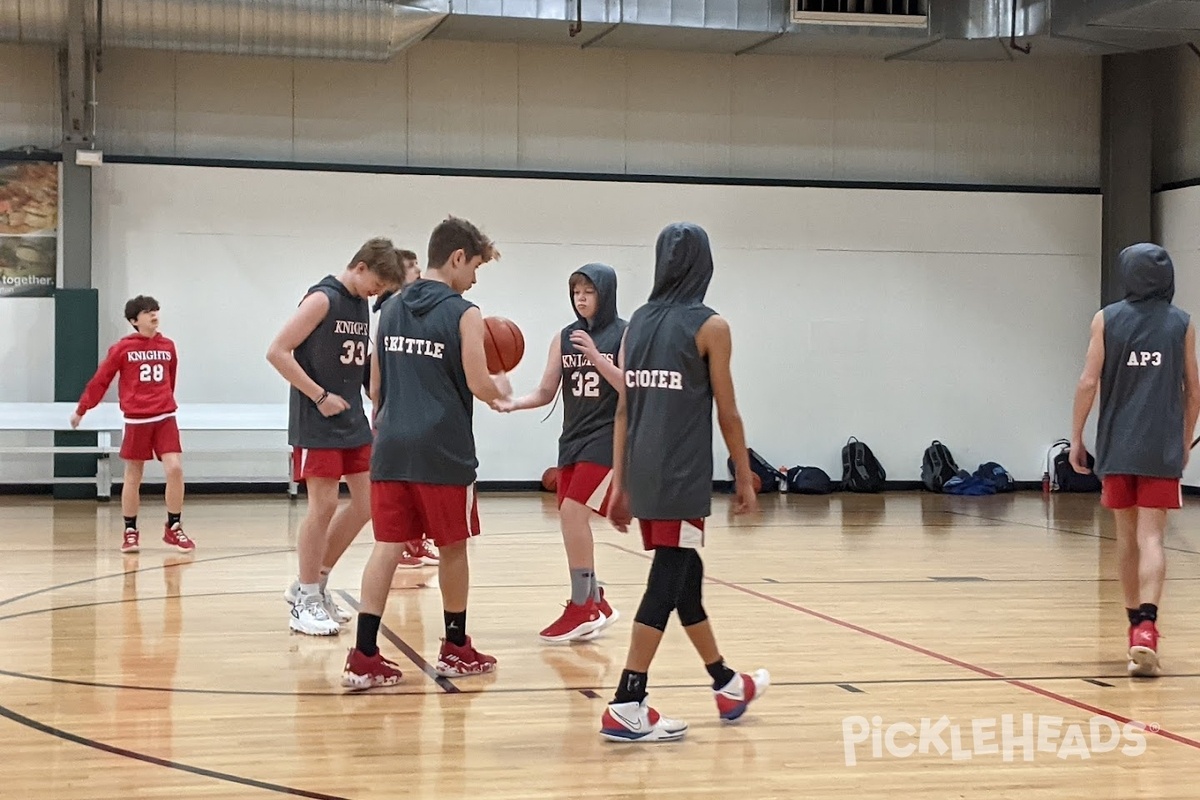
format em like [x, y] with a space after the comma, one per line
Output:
[334, 356]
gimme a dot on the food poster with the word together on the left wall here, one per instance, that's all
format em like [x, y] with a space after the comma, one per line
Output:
[29, 228]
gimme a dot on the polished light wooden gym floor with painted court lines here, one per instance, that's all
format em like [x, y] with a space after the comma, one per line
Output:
[158, 676]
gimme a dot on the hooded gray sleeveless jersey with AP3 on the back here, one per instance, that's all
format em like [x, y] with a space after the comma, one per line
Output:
[1141, 425]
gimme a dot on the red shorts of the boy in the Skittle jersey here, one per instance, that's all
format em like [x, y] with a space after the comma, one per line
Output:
[403, 512]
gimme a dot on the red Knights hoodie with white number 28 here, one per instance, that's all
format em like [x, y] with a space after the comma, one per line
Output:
[147, 386]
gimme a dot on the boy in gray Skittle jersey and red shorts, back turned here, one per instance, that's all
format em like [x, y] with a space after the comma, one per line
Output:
[427, 371]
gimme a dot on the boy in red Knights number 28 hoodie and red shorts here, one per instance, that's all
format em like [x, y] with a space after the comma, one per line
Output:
[147, 364]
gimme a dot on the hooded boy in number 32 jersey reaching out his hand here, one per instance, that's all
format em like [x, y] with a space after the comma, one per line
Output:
[583, 362]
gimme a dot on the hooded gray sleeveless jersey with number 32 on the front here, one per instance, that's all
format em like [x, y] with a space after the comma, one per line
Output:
[590, 402]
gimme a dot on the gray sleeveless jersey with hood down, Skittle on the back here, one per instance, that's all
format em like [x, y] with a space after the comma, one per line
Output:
[424, 429]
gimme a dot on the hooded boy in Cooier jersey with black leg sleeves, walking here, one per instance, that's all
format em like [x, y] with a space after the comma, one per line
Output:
[676, 363]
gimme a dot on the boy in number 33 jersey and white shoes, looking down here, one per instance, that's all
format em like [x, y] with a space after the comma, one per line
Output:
[322, 352]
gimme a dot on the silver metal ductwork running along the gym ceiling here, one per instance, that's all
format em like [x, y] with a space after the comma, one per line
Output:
[957, 31]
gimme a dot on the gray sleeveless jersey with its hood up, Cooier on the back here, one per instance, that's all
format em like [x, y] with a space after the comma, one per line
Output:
[669, 396]
